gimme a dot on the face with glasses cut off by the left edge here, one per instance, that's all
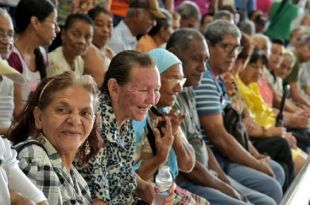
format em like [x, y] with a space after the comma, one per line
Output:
[6, 36]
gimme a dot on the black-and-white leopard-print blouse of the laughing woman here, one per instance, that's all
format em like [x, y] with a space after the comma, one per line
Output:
[109, 174]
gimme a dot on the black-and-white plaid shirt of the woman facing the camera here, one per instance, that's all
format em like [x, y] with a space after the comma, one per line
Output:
[46, 170]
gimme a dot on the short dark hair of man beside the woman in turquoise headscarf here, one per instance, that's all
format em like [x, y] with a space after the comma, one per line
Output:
[182, 37]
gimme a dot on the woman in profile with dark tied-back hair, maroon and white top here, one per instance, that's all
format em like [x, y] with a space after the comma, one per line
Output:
[35, 27]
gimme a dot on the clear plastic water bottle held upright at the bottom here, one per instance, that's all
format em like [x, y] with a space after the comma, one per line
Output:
[163, 182]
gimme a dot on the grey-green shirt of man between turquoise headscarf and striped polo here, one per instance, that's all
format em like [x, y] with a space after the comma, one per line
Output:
[191, 126]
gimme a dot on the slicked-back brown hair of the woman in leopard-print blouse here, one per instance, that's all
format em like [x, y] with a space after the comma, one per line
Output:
[121, 66]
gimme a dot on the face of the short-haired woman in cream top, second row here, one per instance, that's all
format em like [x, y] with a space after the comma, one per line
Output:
[77, 38]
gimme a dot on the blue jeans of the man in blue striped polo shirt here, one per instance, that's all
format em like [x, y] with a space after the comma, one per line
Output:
[254, 179]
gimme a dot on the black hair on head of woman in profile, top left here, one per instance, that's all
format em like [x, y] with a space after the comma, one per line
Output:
[26, 9]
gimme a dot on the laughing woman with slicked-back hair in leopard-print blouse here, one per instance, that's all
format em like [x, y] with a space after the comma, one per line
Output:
[131, 86]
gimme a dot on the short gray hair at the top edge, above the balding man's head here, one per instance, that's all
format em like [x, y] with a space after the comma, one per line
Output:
[189, 9]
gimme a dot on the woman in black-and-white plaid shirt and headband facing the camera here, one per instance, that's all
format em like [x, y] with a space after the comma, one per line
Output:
[58, 126]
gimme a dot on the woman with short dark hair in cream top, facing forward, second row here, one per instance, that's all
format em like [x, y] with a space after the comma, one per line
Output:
[76, 38]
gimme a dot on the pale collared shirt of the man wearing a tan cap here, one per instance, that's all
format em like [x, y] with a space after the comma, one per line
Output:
[122, 38]
